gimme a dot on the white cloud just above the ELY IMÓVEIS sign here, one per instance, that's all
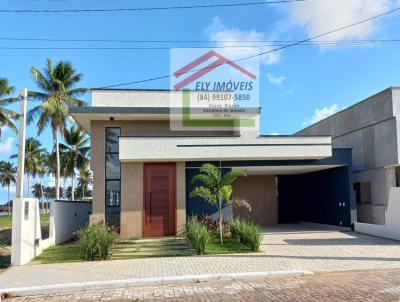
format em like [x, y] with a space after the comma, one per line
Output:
[217, 31]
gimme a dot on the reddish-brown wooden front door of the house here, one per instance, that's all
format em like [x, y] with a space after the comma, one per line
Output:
[159, 200]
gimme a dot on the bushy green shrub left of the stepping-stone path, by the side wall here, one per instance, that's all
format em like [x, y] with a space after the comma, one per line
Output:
[95, 241]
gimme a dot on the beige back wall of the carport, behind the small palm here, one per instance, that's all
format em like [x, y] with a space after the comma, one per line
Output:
[261, 193]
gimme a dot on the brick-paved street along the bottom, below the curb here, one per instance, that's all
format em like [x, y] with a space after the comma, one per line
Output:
[373, 285]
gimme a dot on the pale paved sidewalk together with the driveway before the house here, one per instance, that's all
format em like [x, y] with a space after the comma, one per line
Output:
[288, 247]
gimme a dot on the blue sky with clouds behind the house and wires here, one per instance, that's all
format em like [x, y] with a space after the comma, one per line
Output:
[298, 86]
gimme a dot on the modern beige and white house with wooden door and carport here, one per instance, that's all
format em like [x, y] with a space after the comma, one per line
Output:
[142, 169]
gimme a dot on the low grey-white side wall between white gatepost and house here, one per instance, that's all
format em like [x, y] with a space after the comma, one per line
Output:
[68, 218]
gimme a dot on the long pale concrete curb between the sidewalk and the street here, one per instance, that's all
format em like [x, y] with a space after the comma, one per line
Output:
[78, 286]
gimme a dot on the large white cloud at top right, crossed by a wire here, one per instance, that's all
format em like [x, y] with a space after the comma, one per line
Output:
[322, 16]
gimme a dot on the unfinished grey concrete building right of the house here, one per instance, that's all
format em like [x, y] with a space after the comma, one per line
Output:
[371, 128]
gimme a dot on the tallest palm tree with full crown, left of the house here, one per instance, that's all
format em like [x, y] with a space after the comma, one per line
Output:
[57, 93]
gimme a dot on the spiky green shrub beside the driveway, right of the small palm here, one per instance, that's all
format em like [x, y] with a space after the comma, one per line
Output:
[248, 233]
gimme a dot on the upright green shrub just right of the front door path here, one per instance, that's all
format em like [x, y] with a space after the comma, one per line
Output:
[197, 235]
